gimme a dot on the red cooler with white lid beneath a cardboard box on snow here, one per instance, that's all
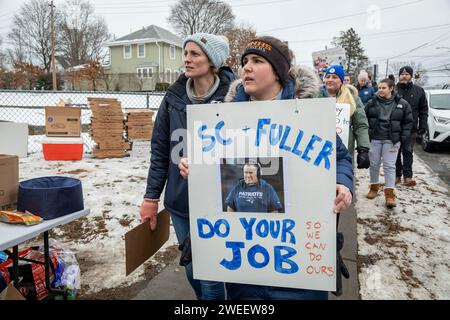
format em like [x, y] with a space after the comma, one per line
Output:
[62, 148]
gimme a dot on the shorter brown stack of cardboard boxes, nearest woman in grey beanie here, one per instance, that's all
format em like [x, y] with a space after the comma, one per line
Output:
[139, 124]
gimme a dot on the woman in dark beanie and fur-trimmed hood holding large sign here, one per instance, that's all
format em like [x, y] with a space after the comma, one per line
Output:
[267, 75]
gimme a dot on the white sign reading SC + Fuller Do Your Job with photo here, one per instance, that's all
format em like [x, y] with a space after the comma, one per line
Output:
[295, 247]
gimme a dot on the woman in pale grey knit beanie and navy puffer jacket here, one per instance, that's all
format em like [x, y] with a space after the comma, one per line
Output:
[204, 81]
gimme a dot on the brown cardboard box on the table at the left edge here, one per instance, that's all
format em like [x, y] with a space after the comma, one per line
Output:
[9, 179]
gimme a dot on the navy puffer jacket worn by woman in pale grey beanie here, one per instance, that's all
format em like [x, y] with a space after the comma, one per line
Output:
[172, 116]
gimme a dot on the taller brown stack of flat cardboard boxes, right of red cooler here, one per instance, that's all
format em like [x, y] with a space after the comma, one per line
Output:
[107, 129]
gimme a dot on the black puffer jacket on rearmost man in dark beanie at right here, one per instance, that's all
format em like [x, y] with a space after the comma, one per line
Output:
[417, 99]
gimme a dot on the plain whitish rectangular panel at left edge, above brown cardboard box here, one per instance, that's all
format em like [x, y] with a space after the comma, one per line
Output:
[14, 138]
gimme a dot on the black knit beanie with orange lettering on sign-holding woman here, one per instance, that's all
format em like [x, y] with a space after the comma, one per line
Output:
[276, 55]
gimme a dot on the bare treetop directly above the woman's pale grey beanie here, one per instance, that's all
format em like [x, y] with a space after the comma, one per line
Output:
[192, 16]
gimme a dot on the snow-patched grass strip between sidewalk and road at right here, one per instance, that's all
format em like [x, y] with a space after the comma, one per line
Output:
[404, 253]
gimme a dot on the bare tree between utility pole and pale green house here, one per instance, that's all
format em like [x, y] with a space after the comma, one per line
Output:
[82, 35]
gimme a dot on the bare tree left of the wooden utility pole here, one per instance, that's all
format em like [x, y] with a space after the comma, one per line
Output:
[30, 34]
